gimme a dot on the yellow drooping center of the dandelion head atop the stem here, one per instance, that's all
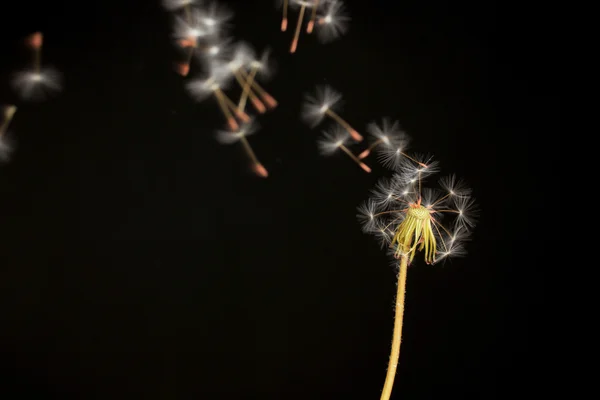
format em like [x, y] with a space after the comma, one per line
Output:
[415, 232]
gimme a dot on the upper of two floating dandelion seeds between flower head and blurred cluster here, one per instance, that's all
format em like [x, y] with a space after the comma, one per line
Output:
[316, 107]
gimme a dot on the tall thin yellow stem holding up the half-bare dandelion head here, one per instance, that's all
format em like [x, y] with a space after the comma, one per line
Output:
[397, 336]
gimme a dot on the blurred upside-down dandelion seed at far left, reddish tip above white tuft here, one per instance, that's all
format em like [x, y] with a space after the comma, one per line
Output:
[36, 83]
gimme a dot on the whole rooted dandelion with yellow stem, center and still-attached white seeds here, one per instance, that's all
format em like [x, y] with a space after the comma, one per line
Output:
[407, 218]
